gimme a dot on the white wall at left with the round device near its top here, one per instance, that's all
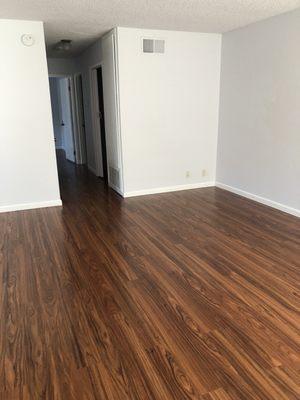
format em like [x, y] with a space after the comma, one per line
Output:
[28, 172]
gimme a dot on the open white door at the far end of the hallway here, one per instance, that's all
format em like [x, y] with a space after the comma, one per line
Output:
[66, 119]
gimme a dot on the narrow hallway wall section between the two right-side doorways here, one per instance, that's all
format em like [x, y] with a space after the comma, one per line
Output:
[89, 58]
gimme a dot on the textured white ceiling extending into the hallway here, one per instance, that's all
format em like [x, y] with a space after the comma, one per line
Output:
[83, 21]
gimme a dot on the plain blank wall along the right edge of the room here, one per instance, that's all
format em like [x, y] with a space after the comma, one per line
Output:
[259, 136]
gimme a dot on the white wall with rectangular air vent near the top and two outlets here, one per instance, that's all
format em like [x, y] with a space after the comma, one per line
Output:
[169, 107]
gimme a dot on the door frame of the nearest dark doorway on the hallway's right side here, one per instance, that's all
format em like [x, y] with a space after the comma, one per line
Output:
[96, 127]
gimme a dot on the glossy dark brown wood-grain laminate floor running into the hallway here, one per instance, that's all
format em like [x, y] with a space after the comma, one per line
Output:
[188, 295]
